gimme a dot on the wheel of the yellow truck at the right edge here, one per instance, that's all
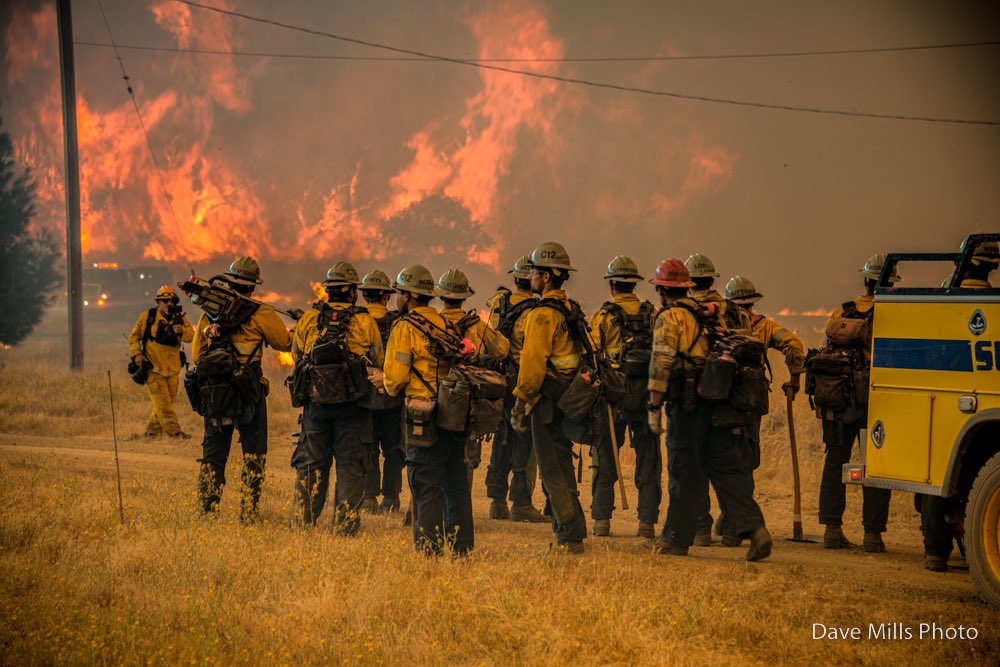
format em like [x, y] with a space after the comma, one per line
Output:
[984, 531]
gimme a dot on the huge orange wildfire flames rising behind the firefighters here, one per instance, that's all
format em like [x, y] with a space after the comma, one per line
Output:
[443, 188]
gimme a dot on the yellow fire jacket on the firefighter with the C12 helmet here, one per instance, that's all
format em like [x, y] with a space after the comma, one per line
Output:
[548, 349]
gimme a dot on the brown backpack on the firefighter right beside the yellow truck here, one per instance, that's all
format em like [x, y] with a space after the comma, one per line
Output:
[837, 375]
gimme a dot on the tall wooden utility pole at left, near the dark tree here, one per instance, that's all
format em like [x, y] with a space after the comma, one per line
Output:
[74, 253]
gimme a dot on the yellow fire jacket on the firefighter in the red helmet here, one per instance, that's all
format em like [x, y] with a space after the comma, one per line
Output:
[676, 331]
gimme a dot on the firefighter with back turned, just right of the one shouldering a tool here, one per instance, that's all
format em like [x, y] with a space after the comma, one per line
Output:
[340, 340]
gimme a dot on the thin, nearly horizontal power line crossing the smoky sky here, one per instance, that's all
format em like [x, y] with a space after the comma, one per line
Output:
[596, 59]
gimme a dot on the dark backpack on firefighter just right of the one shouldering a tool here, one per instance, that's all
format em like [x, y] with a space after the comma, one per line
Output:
[330, 374]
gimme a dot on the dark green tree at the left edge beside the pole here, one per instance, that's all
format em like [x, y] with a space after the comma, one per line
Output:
[28, 256]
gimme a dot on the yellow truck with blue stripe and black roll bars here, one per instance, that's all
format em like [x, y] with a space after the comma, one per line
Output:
[934, 401]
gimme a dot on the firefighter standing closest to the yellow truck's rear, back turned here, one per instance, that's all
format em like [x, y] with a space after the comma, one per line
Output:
[840, 431]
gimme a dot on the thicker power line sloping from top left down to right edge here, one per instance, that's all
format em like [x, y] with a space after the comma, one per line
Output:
[585, 82]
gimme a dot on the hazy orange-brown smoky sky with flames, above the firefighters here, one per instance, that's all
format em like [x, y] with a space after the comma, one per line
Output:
[307, 161]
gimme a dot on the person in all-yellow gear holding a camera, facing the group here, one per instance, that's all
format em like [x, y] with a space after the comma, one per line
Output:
[155, 342]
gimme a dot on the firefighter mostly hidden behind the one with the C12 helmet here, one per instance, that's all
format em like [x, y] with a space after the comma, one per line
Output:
[512, 454]
